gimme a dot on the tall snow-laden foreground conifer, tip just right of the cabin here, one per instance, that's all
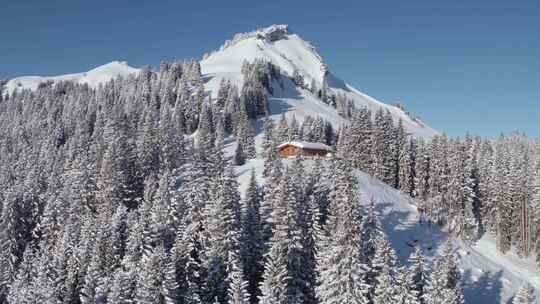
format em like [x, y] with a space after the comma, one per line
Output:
[341, 274]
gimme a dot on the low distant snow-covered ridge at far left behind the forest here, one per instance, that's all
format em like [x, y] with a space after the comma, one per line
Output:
[93, 77]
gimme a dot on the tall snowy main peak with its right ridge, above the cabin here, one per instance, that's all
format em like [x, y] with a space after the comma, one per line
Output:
[285, 49]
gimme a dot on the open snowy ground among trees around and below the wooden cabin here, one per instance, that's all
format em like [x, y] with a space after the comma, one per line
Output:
[487, 275]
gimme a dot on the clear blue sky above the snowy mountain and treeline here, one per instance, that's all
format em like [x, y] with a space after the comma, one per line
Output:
[459, 65]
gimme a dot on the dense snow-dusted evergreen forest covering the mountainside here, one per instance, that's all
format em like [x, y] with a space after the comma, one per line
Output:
[123, 194]
